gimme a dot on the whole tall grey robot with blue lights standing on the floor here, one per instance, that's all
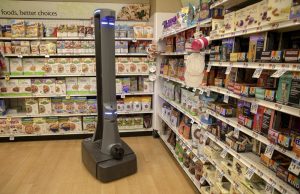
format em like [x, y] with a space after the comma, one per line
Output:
[105, 155]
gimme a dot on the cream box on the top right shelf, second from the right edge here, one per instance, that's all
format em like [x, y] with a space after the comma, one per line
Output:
[279, 10]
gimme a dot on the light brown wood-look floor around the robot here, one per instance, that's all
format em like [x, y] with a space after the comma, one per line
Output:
[55, 167]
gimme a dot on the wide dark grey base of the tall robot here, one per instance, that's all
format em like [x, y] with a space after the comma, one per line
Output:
[103, 166]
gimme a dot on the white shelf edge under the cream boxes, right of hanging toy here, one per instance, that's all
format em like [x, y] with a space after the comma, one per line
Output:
[264, 28]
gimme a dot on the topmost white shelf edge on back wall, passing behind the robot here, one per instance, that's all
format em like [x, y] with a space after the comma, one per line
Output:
[71, 38]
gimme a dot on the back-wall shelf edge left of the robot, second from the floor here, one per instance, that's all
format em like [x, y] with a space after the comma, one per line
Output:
[24, 115]
